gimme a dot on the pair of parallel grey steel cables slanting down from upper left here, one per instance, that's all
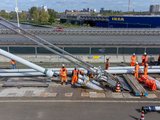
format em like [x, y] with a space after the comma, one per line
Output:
[54, 48]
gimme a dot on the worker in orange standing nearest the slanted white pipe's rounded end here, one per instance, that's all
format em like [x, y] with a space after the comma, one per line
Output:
[63, 74]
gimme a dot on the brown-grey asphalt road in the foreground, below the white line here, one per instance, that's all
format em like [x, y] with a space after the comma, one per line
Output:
[72, 110]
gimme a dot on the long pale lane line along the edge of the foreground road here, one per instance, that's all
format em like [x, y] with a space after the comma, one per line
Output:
[76, 101]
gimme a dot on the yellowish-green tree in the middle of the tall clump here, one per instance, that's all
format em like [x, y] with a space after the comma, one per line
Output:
[43, 17]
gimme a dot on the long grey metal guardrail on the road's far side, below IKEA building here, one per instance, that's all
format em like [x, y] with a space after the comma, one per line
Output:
[89, 32]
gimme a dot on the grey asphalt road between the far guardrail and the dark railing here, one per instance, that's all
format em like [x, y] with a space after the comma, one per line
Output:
[85, 40]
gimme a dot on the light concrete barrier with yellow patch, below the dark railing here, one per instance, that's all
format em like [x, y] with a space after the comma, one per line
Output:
[87, 58]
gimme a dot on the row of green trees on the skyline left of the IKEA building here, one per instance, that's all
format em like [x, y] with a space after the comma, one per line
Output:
[35, 15]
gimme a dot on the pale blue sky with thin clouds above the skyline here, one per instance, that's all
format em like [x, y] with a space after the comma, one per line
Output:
[61, 5]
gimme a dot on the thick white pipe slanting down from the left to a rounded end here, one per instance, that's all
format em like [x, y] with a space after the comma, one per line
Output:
[47, 72]
